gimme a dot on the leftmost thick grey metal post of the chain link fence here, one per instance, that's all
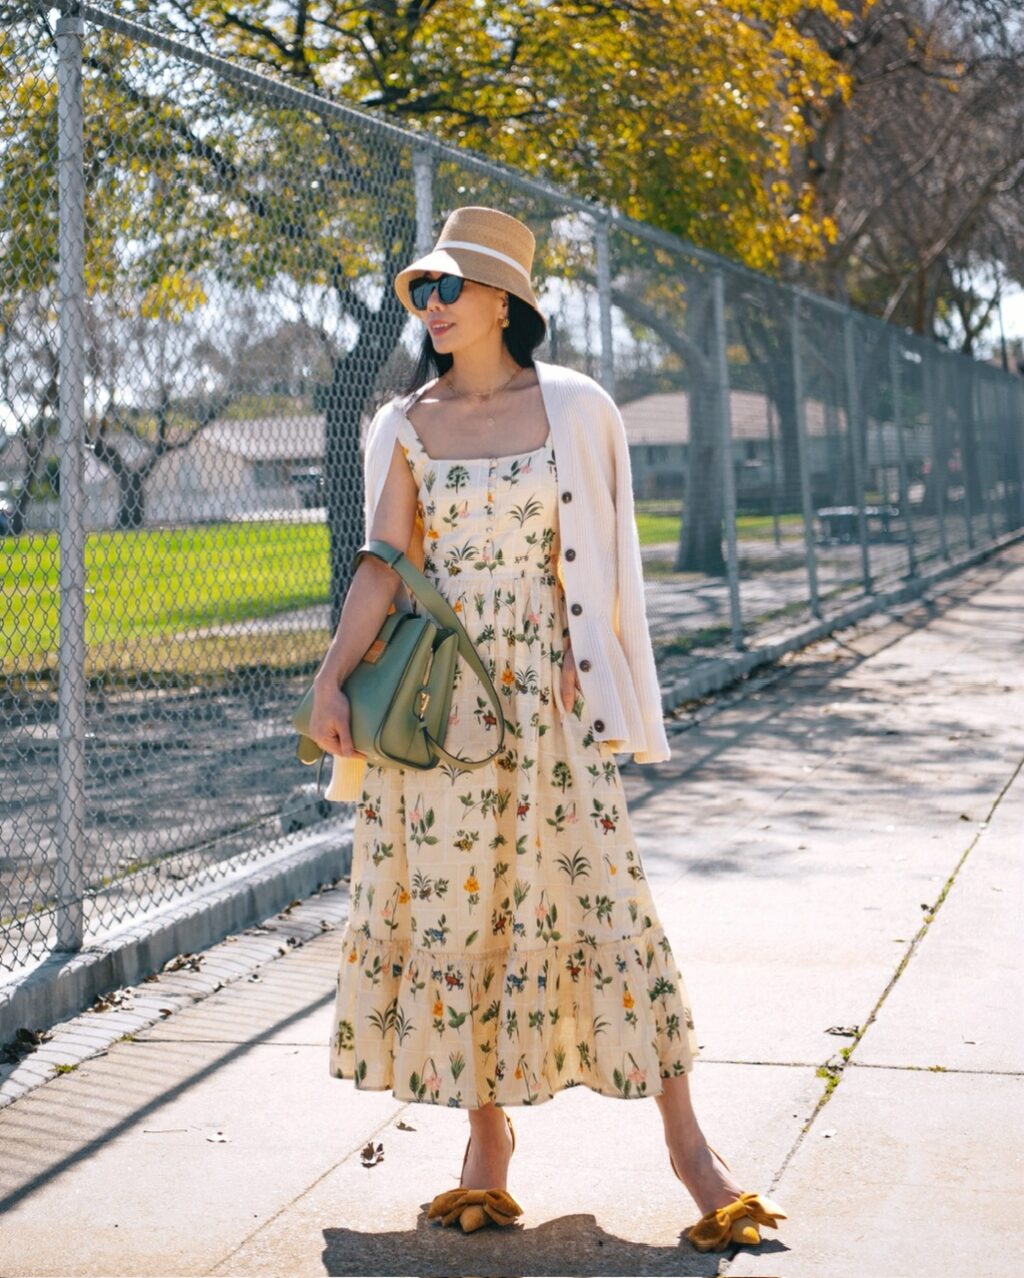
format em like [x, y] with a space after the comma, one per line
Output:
[71, 523]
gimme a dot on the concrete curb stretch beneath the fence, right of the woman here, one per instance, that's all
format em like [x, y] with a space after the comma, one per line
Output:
[715, 675]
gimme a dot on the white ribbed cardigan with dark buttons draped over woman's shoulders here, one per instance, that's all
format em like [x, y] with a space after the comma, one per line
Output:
[605, 577]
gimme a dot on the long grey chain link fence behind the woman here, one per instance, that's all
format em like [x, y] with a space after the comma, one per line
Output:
[198, 324]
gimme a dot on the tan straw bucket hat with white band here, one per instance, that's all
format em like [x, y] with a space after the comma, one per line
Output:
[481, 245]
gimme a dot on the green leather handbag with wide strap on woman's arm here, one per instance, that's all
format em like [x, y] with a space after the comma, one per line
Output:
[401, 693]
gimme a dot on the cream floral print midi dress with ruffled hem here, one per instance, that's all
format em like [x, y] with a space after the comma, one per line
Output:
[503, 943]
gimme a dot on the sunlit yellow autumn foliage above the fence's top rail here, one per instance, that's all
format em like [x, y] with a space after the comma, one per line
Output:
[686, 117]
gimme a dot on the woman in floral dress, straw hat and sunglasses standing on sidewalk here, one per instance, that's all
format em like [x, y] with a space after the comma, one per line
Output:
[503, 941]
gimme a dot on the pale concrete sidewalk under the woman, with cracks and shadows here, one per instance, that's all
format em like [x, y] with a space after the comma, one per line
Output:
[835, 853]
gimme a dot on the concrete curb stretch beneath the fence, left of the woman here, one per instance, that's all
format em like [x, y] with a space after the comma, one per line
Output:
[66, 983]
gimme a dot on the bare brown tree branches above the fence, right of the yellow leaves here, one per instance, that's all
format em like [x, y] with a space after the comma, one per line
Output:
[921, 166]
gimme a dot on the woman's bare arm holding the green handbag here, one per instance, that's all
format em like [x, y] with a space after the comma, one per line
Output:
[370, 595]
